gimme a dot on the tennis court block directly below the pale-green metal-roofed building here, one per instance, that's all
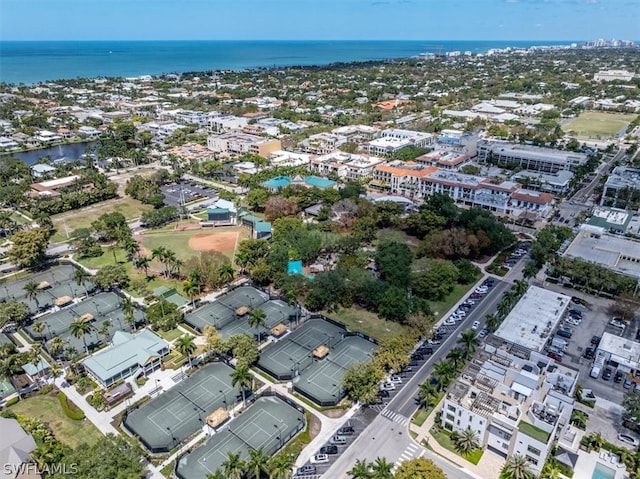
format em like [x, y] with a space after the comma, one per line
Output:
[170, 418]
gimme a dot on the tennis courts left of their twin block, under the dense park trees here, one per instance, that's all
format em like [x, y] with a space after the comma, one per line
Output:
[294, 352]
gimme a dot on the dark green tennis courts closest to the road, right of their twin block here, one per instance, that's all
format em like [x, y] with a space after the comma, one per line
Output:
[322, 380]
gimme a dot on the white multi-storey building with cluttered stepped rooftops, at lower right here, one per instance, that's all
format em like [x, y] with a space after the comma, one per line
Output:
[513, 405]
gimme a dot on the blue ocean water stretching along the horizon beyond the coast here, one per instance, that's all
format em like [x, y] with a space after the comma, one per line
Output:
[33, 62]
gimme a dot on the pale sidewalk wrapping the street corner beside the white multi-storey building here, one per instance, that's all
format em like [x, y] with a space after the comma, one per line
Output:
[488, 468]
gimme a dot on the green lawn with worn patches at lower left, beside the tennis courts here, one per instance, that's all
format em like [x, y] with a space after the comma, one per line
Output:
[48, 409]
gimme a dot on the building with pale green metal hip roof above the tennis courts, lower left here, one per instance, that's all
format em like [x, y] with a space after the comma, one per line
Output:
[129, 355]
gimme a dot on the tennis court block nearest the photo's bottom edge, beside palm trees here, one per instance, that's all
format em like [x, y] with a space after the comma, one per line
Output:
[269, 423]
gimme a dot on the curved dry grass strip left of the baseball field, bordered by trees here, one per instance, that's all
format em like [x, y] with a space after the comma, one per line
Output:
[83, 217]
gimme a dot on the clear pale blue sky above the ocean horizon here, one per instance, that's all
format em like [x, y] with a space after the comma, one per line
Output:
[319, 19]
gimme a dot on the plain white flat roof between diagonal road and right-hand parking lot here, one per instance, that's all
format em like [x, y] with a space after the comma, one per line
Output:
[531, 322]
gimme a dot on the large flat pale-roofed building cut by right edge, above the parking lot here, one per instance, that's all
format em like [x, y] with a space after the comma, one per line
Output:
[617, 253]
